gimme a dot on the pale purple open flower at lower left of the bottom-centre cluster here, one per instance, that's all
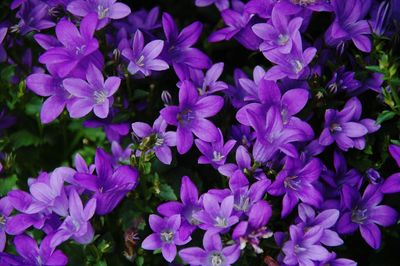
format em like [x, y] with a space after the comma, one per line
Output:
[166, 235]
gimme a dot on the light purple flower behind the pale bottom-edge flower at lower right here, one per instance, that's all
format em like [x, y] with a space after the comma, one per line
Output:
[325, 219]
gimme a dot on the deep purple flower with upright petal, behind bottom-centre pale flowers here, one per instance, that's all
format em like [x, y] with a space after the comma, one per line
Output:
[190, 205]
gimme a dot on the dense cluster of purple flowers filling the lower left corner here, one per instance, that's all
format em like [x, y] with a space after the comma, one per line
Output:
[55, 206]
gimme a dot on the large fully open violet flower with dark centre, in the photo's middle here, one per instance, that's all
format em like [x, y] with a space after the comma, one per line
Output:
[189, 116]
